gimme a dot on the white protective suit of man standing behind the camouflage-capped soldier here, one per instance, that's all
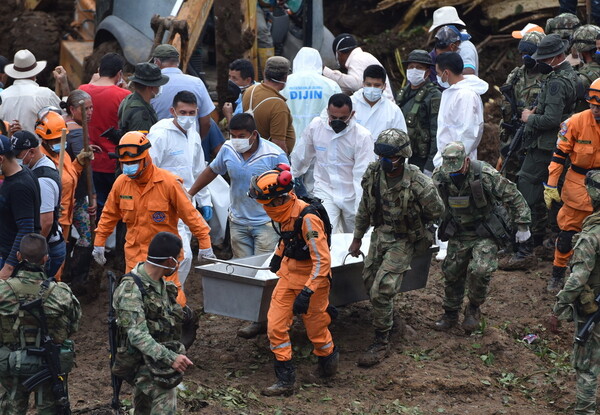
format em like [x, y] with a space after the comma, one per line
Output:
[461, 116]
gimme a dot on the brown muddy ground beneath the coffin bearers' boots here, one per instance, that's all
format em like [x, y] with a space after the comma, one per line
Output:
[490, 372]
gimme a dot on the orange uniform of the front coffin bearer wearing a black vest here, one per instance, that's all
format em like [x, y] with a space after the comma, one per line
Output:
[294, 275]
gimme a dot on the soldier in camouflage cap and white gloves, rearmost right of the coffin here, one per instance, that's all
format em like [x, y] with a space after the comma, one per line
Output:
[471, 190]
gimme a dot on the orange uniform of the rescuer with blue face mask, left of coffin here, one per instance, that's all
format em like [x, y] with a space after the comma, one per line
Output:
[147, 208]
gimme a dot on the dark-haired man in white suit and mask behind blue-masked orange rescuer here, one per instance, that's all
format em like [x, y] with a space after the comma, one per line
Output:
[176, 147]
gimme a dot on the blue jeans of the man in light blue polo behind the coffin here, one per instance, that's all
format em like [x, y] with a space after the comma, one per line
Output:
[252, 240]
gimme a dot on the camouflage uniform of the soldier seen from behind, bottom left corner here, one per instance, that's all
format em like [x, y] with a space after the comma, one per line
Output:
[63, 313]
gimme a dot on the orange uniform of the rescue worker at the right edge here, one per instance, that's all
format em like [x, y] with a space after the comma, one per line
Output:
[579, 139]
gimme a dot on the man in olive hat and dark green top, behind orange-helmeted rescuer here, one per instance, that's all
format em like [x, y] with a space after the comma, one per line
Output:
[135, 112]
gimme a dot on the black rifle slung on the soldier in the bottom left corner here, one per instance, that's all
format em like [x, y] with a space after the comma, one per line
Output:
[50, 353]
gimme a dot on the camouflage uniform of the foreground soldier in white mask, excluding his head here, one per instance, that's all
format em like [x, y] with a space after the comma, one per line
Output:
[145, 321]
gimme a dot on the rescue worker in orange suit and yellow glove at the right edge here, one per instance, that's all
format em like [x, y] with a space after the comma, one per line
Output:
[579, 140]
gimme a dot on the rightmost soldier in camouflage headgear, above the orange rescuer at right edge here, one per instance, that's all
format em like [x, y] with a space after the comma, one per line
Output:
[584, 42]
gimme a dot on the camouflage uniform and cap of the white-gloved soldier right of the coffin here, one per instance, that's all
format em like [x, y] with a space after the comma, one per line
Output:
[472, 258]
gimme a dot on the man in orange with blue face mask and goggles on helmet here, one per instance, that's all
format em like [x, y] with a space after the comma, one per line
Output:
[147, 199]
